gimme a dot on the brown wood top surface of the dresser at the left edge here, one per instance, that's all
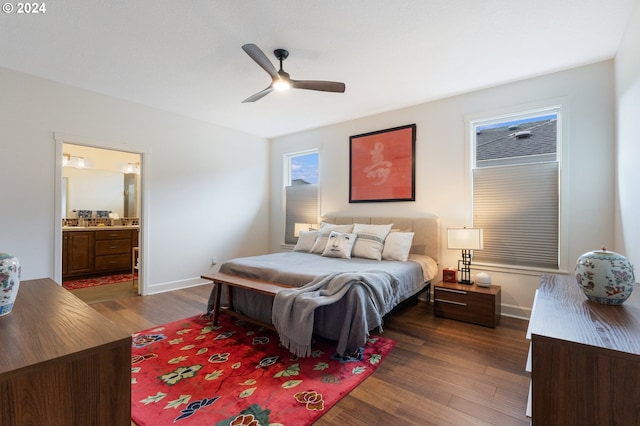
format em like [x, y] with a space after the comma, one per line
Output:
[48, 323]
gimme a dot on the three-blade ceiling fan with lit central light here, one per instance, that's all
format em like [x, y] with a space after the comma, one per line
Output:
[280, 79]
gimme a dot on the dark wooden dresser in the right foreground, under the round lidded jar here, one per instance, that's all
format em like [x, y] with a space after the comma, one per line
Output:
[584, 357]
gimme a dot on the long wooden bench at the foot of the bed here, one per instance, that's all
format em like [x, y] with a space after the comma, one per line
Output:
[233, 281]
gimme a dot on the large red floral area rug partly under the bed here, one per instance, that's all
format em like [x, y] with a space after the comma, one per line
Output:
[191, 373]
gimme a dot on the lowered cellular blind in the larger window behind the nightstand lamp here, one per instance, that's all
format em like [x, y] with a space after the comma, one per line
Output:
[517, 208]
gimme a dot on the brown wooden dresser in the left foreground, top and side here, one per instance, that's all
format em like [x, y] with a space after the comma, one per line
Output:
[61, 362]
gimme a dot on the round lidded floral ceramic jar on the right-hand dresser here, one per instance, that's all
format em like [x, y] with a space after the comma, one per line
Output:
[605, 276]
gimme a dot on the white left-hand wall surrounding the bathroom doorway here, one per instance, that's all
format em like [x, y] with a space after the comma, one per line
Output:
[207, 186]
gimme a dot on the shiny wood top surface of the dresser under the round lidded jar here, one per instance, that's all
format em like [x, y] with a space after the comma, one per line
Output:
[562, 311]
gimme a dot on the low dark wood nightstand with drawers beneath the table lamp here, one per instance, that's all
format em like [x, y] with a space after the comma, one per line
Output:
[470, 303]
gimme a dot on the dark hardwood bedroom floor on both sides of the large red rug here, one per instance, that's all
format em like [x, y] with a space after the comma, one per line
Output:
[441, 372]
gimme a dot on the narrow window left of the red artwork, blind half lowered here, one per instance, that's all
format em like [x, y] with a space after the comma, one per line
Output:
[301, 192]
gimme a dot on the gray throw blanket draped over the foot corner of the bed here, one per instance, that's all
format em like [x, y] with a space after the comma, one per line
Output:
[294, 309]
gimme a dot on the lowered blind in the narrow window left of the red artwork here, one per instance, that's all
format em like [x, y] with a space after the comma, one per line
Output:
[301, 206]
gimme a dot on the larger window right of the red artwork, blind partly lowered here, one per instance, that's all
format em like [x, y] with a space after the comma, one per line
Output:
[515, 189]
